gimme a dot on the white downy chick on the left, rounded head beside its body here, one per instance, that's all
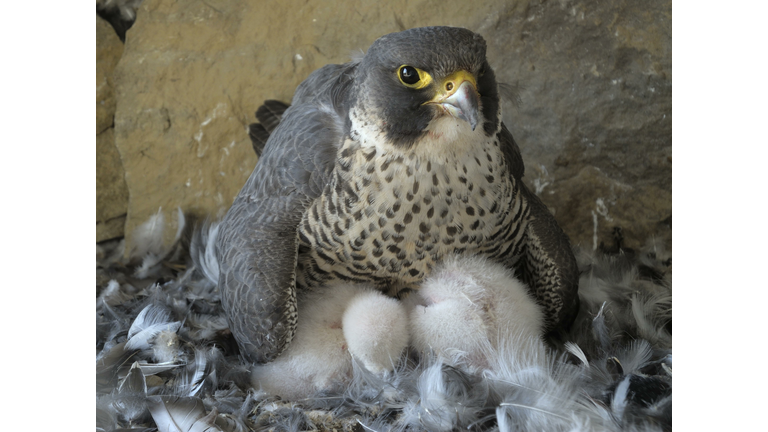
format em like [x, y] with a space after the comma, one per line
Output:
[318, 359]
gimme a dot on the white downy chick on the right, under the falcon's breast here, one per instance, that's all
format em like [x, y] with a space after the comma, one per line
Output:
[470, 306]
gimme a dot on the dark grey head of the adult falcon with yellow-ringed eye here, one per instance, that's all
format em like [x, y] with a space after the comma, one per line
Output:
[426, 82]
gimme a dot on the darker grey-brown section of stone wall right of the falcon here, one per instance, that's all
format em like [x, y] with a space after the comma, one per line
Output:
[595, 119]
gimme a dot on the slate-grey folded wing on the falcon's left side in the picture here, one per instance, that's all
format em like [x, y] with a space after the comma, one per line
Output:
[257, 245]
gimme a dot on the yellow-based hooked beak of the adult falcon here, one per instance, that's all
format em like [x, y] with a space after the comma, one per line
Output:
[457, 95]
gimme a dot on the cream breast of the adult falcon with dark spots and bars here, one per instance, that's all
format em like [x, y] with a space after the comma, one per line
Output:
[389, 216]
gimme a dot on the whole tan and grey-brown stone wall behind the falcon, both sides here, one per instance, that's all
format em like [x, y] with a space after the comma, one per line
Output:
[593, 78]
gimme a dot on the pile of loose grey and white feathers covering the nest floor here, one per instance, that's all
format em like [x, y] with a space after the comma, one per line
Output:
[165, 358]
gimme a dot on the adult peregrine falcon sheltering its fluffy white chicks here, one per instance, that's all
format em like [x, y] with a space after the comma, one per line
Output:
[378, 170]
